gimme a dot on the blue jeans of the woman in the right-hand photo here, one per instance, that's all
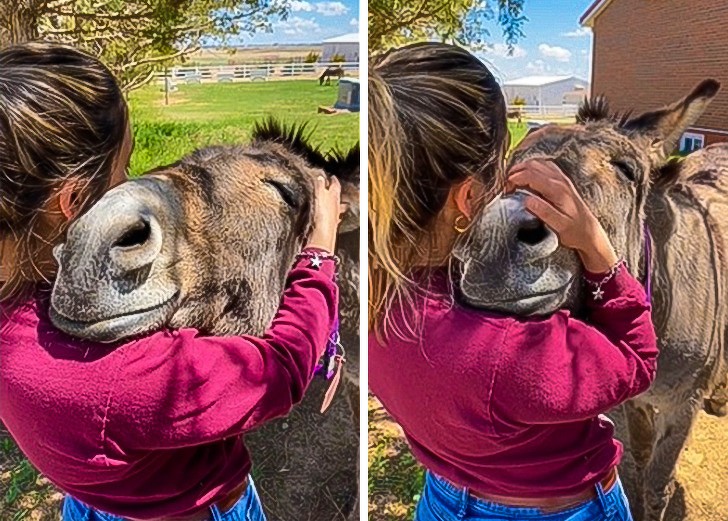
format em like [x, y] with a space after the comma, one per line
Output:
[442, 501]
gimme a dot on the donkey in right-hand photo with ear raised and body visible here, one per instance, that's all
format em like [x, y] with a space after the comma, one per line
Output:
[621, 167]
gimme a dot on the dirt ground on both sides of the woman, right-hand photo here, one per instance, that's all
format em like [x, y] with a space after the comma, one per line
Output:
[395, 479]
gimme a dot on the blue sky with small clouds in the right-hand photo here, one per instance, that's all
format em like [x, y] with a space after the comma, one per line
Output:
[554, 44]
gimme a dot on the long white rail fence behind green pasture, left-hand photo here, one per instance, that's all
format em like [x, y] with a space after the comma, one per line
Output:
[252, 72]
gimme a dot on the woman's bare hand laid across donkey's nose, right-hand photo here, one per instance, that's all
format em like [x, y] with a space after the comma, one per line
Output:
[554, 199]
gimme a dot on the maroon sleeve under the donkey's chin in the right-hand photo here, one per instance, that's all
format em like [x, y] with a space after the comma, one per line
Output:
[559, 369]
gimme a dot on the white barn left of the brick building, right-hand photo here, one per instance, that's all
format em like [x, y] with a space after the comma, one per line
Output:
[544, 90]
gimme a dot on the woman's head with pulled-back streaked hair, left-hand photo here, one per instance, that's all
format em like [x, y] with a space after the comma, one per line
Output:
[65, 139]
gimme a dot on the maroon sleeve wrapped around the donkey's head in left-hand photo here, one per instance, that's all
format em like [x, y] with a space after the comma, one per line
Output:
[179, 388]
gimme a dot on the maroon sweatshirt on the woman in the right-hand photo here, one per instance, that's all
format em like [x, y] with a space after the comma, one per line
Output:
[513, 406]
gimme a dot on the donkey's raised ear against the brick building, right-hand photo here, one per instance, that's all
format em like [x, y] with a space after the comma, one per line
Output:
[663, 128]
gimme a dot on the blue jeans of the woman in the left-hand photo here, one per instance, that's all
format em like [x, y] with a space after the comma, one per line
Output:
[248, 508]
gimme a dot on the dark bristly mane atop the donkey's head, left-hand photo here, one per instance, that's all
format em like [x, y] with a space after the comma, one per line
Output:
[297, 138]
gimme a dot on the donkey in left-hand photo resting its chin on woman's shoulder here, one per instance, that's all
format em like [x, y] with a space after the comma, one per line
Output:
[207, 243]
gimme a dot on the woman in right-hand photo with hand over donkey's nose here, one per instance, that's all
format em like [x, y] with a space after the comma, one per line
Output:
[504, 412]
